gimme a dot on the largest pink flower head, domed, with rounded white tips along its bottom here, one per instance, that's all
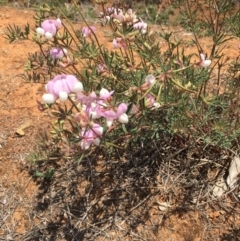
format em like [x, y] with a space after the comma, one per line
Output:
[60, 86]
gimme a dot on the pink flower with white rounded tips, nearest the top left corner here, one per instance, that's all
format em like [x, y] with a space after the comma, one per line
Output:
[49, 28]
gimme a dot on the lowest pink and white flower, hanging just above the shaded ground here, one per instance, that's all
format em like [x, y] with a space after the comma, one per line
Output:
[91, 136]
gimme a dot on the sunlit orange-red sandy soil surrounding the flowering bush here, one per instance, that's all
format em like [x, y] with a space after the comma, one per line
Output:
[18, 107]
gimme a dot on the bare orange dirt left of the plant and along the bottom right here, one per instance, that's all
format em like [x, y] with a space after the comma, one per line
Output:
[19, 214]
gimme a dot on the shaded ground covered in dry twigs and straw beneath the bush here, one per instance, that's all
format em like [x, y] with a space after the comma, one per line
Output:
[119, 198]
